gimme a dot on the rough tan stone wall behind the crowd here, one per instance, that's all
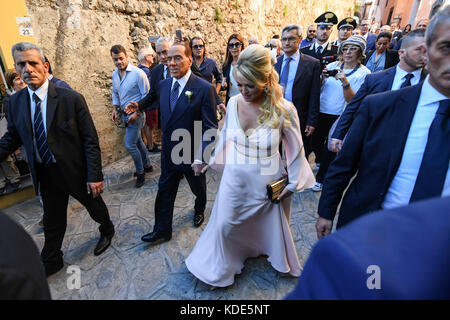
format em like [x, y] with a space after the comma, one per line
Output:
[76, 36]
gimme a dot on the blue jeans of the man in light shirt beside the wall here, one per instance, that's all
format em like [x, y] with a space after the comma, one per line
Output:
[135, 145]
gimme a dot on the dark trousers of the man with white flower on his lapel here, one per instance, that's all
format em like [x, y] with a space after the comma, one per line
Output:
[167, 192]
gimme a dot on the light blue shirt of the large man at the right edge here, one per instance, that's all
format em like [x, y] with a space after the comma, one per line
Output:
[402, 186]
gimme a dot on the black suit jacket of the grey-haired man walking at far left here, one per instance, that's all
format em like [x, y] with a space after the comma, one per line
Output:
[71, 136]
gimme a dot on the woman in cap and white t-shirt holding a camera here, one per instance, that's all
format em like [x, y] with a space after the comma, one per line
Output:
[341, 79]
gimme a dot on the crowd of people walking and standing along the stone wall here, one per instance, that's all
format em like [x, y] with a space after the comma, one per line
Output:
[376, 119]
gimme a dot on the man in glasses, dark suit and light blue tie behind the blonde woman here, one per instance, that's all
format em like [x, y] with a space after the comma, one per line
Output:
[300, 77]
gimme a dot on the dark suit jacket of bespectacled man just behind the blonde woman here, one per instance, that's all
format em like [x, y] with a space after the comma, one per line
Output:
[306, 89]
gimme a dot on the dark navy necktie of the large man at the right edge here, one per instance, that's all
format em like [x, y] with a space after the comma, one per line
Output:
[433, 169]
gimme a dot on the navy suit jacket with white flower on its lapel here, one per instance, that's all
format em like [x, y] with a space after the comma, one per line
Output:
[201, 107]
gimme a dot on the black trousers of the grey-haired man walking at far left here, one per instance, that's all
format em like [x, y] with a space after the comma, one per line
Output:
[55, 197]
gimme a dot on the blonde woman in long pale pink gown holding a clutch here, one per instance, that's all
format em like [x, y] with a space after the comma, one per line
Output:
[244, 223]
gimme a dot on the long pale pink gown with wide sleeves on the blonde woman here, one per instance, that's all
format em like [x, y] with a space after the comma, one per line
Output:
[244, 223]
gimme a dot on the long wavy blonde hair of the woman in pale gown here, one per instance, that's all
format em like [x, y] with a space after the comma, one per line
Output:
[255, 65]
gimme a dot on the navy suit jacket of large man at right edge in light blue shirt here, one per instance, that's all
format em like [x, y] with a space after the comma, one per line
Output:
[373, 149]
